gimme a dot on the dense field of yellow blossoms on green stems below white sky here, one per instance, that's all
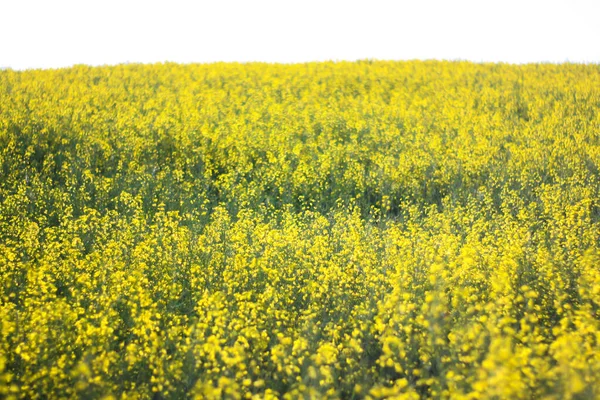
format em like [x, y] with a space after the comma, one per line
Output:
[325, 230]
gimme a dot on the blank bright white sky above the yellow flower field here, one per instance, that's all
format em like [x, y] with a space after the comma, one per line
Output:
[49, 34]
